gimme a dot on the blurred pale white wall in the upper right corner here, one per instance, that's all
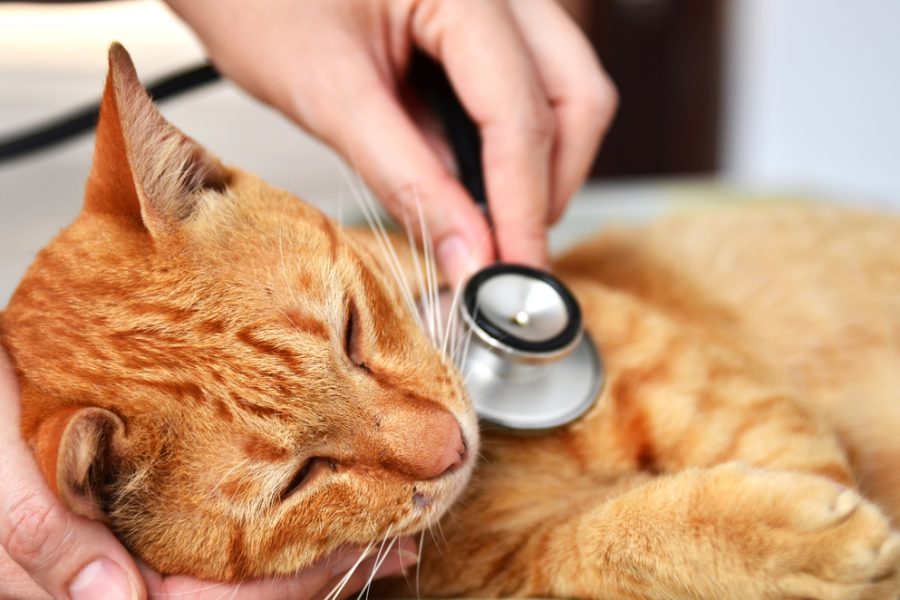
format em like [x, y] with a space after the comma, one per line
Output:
[813, 96]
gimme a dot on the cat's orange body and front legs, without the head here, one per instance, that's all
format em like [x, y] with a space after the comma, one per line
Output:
[744, 347]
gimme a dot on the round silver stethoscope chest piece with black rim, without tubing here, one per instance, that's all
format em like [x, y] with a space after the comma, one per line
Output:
[530, 366]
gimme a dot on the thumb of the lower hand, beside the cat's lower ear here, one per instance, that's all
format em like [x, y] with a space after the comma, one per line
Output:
[67, 555]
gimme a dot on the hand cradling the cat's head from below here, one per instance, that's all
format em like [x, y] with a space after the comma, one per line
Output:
[45, 549]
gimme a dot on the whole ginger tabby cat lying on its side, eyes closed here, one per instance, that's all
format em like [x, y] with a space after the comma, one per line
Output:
[234, 385]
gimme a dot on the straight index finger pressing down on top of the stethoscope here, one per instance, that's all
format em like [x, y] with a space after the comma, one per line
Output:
[492, 71]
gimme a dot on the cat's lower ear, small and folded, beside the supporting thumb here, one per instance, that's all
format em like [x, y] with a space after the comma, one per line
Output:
[89, 445]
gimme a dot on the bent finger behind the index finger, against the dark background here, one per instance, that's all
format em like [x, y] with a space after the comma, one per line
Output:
[583, 97]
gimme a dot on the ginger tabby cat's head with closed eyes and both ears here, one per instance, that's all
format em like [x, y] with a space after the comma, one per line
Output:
[212, 367]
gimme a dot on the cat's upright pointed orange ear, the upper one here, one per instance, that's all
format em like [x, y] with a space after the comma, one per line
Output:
[145, 171]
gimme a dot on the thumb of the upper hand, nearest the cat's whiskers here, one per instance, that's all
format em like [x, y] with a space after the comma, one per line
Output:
[379, 139]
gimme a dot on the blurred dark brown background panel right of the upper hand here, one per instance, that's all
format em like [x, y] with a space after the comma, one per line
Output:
[665, 57]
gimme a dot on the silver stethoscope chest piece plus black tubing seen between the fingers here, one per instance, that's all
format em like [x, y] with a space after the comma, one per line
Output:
[530, 365]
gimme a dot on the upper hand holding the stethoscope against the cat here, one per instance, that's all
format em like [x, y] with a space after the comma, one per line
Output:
[522, 69]
